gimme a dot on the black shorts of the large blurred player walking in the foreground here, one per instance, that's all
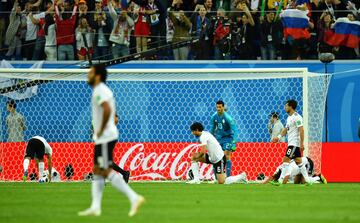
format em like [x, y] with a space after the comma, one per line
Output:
[103, 154]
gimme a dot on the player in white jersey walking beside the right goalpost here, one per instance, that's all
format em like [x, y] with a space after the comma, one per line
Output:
[295, 130]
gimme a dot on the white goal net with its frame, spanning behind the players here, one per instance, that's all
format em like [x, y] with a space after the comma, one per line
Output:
[155, 109]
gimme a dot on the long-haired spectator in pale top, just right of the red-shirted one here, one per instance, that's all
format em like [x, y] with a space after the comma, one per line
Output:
[84, 40]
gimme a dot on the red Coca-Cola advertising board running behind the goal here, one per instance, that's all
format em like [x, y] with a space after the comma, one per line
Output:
[170, 161]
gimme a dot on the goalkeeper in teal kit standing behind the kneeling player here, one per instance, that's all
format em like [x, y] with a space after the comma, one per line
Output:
[223, 127]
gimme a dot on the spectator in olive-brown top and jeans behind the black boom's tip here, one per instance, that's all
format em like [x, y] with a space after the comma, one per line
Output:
[182, 25]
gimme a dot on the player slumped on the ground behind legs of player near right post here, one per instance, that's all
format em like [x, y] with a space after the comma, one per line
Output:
[294, 175]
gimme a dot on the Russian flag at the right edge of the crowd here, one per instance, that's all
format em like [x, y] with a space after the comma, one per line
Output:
[347, 33]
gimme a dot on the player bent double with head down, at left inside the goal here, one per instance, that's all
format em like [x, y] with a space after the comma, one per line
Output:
[36, 148]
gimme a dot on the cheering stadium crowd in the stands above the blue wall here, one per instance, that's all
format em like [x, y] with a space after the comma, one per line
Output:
[226, 29]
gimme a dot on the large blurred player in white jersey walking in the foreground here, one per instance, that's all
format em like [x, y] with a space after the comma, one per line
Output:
[105, 137]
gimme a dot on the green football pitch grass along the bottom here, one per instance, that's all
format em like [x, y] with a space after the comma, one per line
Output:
[179, 202]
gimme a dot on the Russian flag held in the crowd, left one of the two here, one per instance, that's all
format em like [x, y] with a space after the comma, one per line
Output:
[295, 23]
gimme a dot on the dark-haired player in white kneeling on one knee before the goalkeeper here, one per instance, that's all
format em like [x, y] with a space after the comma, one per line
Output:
[211, 153]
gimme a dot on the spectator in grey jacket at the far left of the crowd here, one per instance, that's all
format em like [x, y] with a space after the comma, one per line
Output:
[16, 28]
